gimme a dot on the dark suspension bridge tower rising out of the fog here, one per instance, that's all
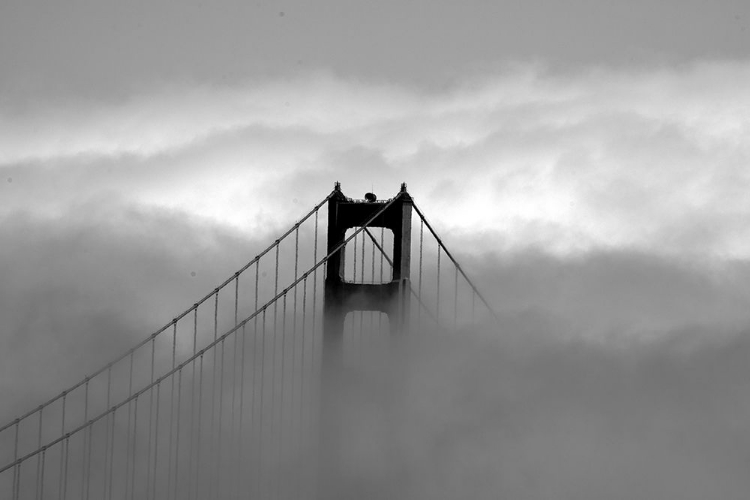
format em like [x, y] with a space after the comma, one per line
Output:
[342, 297]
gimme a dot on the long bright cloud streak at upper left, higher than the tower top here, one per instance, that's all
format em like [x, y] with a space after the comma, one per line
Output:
[172, 118]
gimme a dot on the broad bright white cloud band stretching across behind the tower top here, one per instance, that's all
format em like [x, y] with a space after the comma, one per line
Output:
[652, 160]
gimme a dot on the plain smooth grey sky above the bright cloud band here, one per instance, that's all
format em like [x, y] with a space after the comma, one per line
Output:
[104, 49]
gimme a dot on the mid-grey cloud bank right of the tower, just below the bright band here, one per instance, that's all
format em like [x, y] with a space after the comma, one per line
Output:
[615, 295]
